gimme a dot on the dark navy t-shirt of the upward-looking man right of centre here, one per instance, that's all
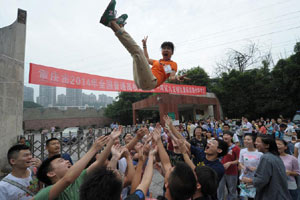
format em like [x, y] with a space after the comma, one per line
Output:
[200, 160]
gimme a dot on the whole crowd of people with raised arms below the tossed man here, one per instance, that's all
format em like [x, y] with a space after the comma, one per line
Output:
[207, 159]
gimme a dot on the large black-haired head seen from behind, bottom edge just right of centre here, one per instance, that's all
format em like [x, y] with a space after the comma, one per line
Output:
[182, 182]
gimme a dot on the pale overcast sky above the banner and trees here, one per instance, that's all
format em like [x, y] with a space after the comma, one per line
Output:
[67, 34]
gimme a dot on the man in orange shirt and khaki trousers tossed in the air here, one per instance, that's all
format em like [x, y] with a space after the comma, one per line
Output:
[144, 77]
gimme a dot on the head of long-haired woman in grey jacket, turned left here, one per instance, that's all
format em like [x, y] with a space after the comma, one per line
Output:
[265, 143]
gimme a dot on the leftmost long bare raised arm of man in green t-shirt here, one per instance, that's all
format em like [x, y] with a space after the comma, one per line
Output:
[76, 169]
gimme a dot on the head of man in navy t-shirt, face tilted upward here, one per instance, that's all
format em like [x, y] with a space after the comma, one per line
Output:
[217, 148]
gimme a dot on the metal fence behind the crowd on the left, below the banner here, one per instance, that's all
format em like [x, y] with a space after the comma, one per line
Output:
[75, 145]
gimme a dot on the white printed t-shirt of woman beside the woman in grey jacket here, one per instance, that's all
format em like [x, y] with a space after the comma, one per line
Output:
[249, 159]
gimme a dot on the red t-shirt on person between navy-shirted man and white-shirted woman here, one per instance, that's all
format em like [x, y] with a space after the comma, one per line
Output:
[232, 155]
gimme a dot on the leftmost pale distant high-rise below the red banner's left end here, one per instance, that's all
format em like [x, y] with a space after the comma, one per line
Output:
[47, 96]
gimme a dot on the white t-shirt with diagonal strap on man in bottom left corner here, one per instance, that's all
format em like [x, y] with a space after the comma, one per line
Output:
[11, 192]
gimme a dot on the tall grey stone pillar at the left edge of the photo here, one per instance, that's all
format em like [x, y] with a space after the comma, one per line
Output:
[12, 53]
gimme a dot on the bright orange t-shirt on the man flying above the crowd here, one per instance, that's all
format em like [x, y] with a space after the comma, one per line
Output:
[162, 69]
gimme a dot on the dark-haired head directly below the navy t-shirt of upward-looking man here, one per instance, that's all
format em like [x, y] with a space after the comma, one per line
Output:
[207, 180]
